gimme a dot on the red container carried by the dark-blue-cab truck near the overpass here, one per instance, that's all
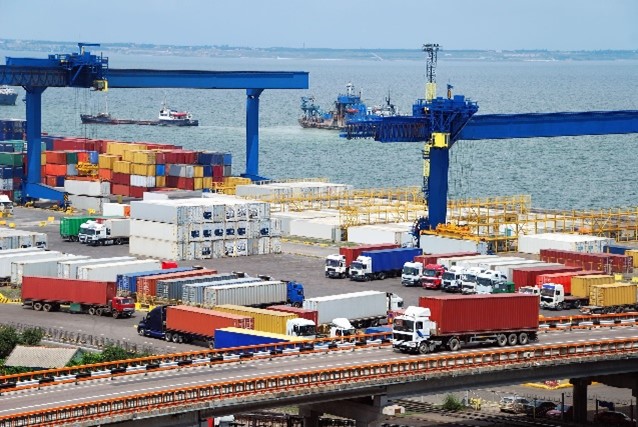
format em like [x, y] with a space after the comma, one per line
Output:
[203, 322]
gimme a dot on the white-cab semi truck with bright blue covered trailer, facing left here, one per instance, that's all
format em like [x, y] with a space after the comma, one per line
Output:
[382, 263]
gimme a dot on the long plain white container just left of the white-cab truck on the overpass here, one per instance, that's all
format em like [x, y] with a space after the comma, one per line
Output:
[355, 305]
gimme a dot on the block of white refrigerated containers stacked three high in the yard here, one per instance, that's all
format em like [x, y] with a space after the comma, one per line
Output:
[214, 226]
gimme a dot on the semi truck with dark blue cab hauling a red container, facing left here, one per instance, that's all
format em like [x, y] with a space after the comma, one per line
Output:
[181, 323]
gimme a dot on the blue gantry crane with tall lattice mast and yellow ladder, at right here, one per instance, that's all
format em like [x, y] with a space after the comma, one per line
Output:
[440, 122]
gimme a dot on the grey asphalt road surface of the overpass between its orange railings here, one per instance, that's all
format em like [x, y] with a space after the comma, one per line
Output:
[54, 396]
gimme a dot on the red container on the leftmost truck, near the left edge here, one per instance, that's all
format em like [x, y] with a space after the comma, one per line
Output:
[56, 289]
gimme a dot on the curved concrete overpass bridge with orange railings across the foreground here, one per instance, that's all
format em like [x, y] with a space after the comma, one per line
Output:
[318, 379]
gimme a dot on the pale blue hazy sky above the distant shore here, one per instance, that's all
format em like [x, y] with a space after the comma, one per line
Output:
[402, 24]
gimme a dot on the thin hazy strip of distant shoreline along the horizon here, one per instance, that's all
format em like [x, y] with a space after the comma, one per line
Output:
[318, 53]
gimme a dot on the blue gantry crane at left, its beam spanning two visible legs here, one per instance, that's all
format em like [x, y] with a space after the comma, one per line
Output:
[86, 70]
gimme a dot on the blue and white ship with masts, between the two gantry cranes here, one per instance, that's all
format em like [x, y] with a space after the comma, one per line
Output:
[348, 107]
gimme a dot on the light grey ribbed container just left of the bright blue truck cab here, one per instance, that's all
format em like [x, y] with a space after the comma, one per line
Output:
[247, 294]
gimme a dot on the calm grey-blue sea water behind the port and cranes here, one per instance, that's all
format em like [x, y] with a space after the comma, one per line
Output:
[572, 172]
